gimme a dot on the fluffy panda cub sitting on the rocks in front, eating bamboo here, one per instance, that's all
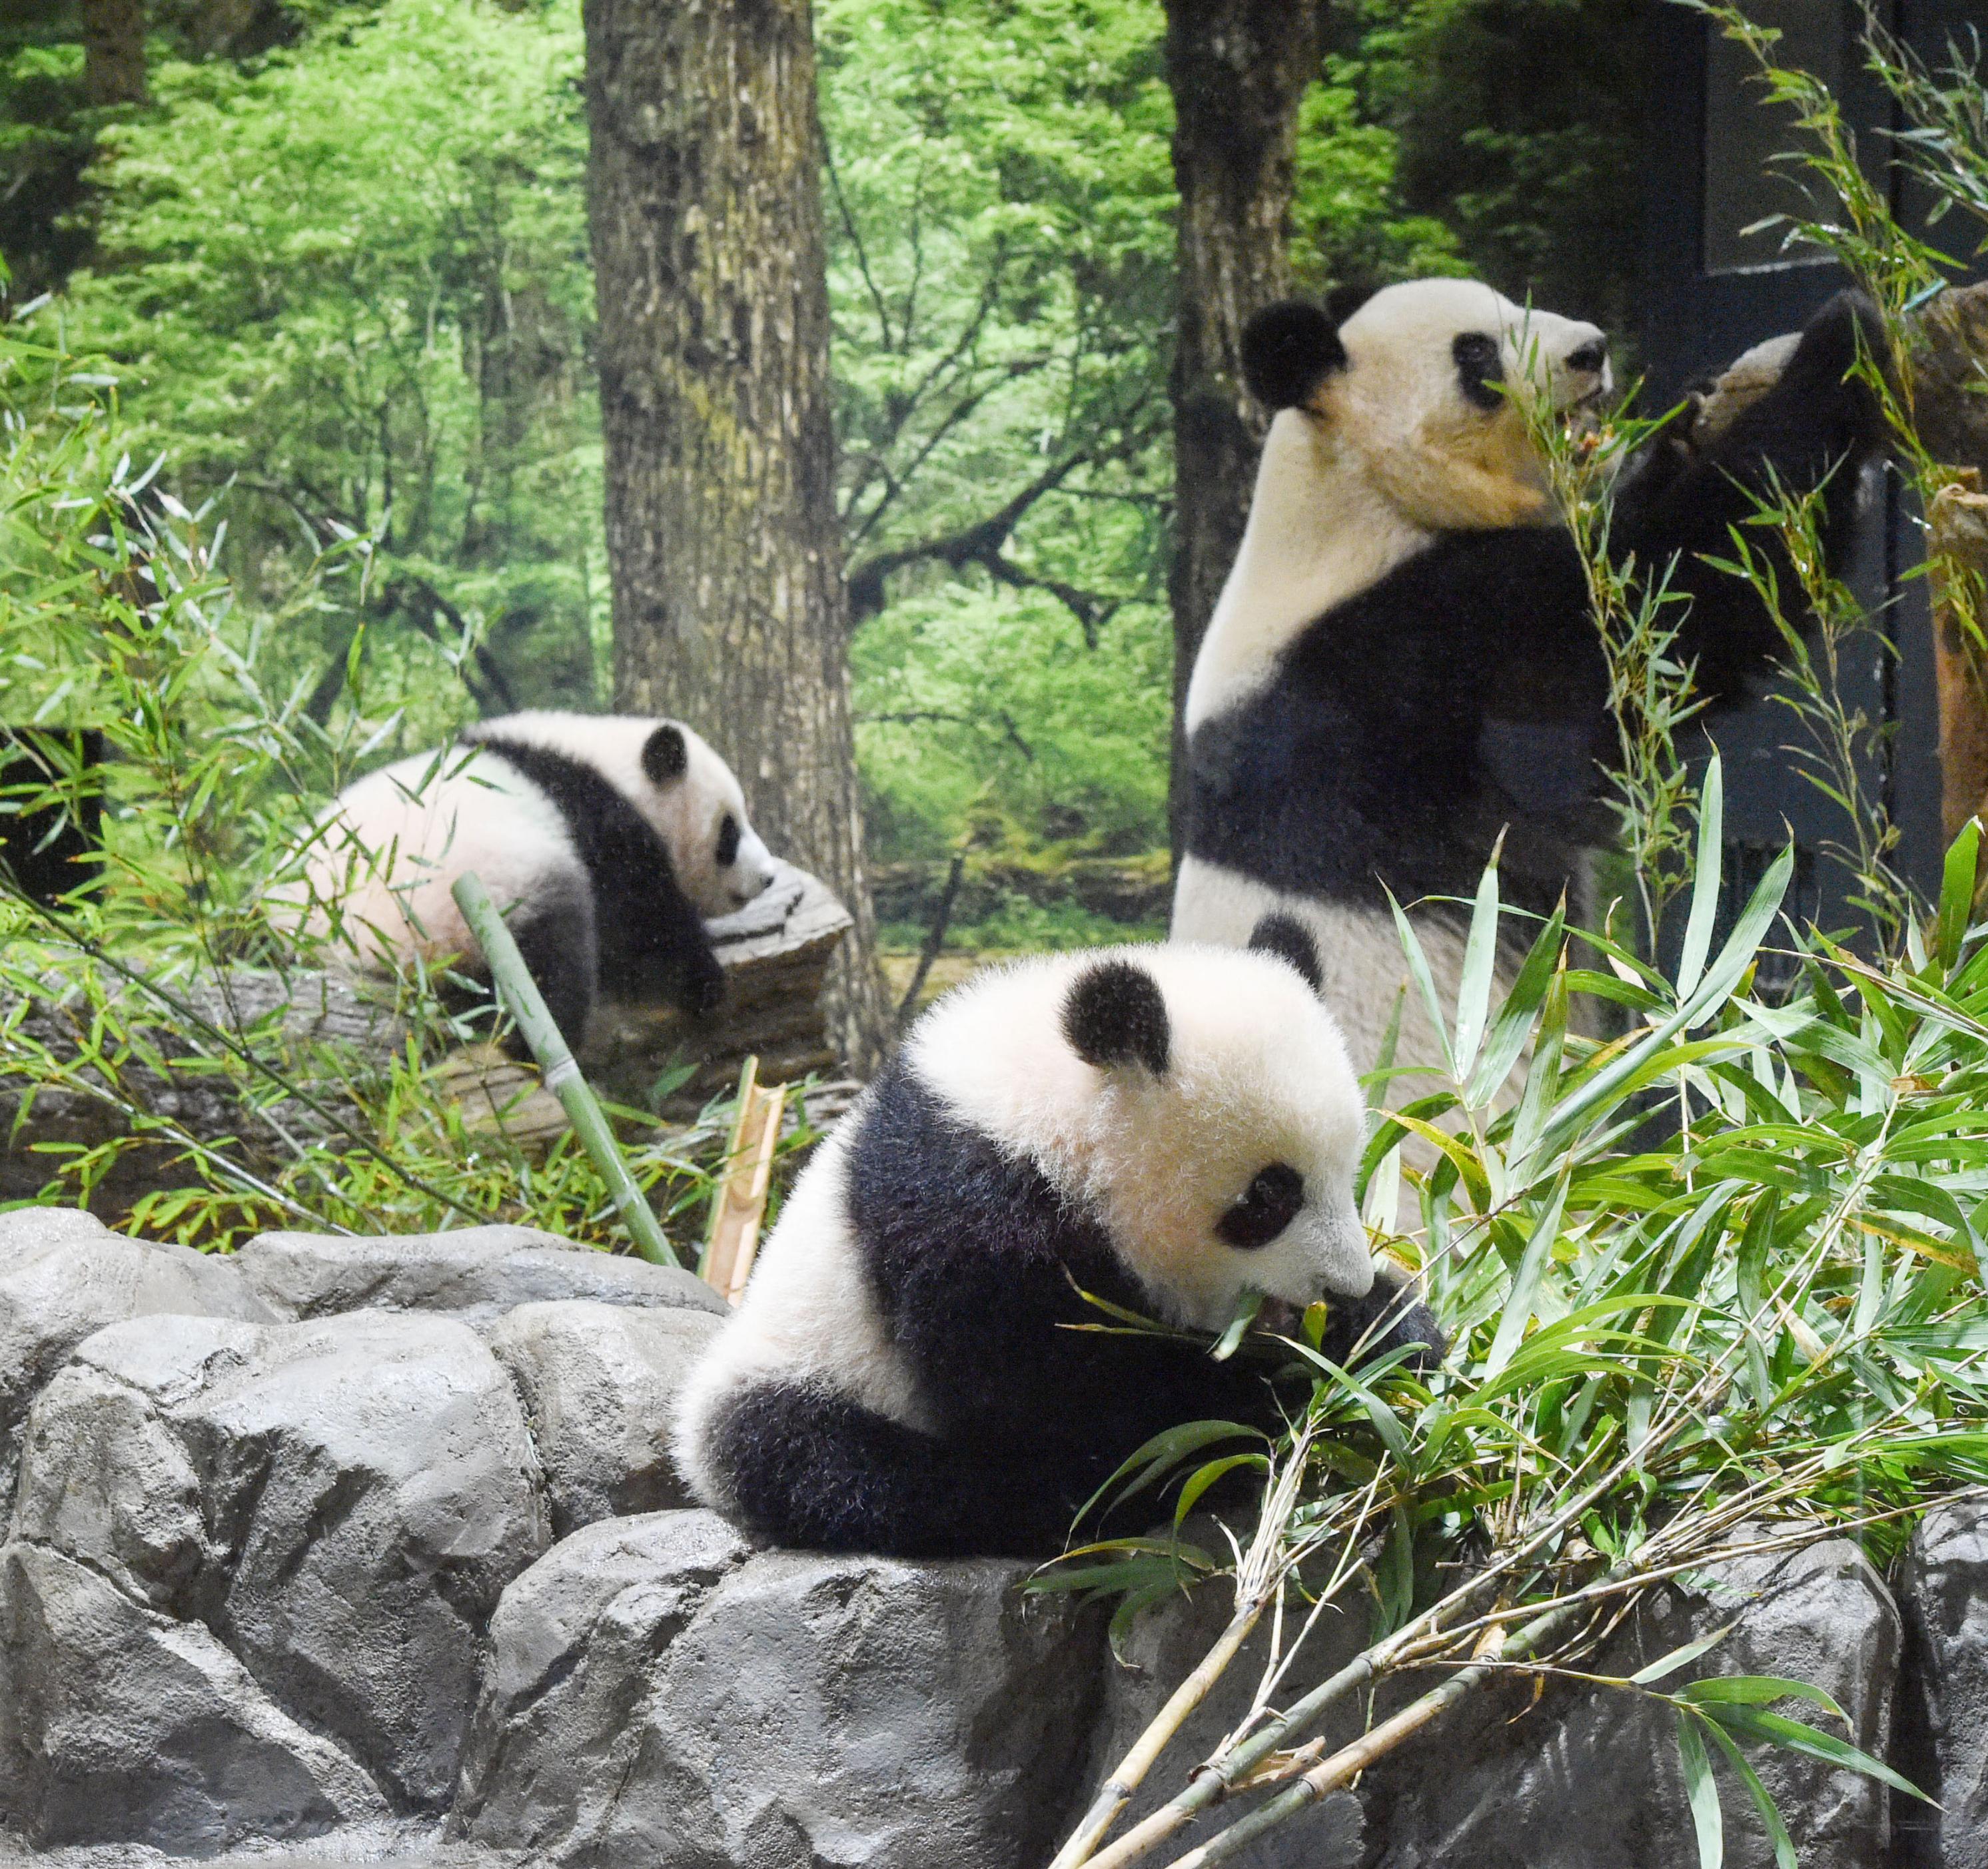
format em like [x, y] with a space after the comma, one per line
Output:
[1156, 1126]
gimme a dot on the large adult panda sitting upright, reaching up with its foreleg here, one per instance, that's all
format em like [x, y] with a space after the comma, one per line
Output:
[1403, 665]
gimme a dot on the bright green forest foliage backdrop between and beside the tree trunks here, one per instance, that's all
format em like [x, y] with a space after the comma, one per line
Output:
[339, 271]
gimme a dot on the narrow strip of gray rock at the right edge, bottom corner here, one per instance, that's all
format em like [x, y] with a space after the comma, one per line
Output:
[1943, 1594]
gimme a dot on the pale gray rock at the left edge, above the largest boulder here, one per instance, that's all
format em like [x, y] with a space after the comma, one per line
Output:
[65, 1275]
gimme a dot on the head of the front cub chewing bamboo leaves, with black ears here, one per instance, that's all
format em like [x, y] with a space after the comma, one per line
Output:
[1198, 1103]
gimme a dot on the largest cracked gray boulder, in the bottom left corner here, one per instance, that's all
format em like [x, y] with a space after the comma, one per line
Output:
[313, 1522]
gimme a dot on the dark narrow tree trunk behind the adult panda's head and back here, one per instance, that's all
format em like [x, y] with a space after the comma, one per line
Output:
[1238, 71]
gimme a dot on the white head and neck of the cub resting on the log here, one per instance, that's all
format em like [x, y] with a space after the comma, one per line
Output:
[685, 792]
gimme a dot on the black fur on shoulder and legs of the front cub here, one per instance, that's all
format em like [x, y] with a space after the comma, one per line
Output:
[975, 1264]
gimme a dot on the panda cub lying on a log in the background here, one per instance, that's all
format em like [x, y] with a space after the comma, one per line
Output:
[603, 838]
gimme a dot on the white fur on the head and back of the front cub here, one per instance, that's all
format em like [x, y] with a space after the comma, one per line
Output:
[1257, 1075]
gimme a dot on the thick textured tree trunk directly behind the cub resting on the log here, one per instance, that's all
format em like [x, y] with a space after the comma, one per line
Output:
[715, 399]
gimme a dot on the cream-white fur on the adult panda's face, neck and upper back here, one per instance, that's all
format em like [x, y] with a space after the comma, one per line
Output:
[1389, 454]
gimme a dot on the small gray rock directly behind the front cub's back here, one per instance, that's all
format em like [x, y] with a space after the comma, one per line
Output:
[599, 1385]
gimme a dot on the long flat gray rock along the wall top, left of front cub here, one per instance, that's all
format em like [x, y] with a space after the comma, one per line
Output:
[476, 1274]
